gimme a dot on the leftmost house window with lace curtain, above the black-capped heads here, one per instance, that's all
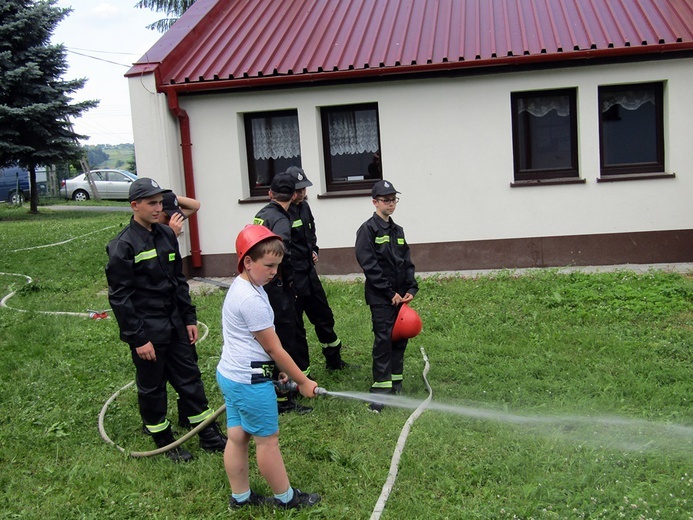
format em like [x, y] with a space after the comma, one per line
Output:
[272, 144]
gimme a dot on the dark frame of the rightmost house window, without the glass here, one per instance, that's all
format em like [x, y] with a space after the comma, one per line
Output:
[642, 168]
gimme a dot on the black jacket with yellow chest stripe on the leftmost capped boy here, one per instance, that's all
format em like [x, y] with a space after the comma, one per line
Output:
[147, 290]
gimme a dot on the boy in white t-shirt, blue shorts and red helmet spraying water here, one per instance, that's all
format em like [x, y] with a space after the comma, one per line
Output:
[244, 373]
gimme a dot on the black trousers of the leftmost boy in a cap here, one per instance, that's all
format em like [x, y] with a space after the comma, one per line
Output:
[176, 363]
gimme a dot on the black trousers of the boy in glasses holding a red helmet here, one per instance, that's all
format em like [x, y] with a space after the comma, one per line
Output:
[388, 355]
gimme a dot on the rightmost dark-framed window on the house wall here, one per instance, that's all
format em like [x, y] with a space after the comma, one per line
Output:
[631, 132]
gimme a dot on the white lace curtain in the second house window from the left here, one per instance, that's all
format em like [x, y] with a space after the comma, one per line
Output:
[353, 132]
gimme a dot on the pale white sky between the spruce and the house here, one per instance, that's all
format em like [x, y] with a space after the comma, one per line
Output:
[103, 39]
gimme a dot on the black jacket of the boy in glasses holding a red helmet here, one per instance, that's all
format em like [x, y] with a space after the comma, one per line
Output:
[383, 254]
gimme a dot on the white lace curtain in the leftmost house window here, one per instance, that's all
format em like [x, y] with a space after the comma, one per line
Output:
[275, 137]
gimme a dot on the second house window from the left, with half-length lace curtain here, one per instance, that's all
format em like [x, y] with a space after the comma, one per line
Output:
[351, 141]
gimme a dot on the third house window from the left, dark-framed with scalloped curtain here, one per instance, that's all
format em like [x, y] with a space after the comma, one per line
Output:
[545, 134]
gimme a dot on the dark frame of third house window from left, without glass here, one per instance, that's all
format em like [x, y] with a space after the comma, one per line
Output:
[571, 172]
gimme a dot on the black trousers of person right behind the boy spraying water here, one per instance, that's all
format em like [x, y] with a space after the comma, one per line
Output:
[293, 338]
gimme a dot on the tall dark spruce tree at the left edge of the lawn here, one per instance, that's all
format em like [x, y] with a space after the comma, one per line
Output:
[35, 107]
